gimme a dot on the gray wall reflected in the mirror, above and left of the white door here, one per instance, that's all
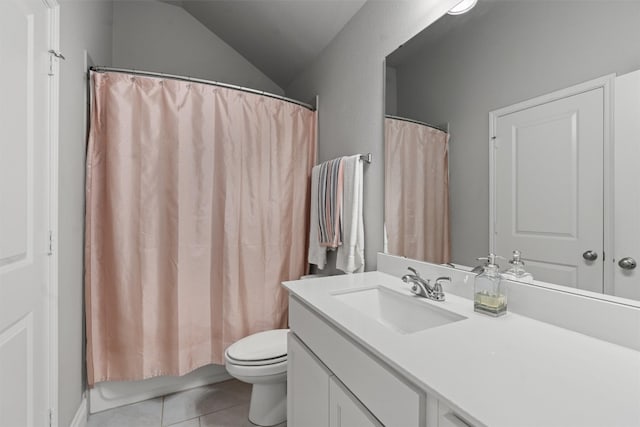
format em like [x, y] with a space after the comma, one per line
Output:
[513, 52]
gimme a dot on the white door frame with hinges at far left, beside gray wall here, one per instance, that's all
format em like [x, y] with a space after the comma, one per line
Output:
[53, 7]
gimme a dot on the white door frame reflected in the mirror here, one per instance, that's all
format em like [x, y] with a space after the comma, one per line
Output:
[607, 84]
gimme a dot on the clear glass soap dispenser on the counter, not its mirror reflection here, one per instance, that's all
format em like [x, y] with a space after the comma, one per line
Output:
[489, 294]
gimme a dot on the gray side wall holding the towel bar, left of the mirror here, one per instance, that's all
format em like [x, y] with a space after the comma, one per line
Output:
[348, 77]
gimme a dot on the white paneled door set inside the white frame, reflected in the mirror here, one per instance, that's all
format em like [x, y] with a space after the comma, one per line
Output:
[548, 198]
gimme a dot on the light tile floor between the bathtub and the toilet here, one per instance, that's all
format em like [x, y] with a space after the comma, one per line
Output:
[224, 404]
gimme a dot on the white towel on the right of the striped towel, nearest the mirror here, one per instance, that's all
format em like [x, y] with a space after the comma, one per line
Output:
[350, 257]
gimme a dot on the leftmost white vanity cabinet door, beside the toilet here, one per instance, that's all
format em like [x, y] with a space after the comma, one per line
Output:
[307, 387]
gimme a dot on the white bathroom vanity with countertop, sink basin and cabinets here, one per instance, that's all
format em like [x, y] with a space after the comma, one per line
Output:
[364, 351]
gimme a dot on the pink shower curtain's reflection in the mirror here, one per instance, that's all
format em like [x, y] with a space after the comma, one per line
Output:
[417, 191]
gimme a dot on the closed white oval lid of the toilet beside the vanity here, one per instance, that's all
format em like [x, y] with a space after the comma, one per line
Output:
[264, 346]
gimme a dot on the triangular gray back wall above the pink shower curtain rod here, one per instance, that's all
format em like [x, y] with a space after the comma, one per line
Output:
[155, 36]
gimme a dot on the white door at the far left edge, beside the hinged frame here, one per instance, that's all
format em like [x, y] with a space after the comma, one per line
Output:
[24, 214]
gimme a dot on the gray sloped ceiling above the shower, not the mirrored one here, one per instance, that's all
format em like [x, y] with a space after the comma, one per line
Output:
[279, 37]
